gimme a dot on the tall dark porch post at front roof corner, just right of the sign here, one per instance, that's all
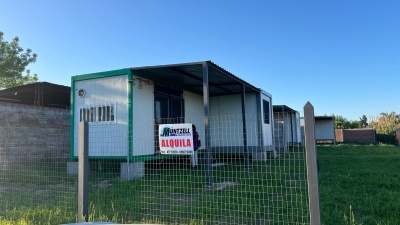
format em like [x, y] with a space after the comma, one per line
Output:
[206, 100]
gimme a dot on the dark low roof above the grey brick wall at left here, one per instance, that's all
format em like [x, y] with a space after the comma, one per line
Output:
[38, 94]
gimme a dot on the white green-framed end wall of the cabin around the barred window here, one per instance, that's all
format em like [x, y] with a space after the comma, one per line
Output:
[105, 138]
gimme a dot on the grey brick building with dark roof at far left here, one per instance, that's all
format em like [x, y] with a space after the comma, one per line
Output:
[34, 119]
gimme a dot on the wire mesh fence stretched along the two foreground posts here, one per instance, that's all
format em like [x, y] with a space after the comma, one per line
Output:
[267, 185]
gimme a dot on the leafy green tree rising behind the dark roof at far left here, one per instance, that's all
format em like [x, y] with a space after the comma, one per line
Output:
[13, 62]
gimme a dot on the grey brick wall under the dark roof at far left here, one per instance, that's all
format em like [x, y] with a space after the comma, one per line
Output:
[30, 134]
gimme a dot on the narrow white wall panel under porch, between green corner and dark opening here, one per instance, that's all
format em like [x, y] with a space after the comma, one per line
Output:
[143, 118]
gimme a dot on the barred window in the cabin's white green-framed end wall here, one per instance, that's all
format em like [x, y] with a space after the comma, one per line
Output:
[100, 113]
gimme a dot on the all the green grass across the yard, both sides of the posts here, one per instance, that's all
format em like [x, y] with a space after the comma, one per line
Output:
[359, 184]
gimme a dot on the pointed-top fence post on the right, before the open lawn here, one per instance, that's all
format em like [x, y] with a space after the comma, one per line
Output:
[311, 159]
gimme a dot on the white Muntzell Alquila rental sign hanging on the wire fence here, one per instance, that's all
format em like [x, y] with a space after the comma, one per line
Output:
[176, 139]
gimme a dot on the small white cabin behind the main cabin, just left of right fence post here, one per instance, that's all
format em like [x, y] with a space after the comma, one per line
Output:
[287, 131]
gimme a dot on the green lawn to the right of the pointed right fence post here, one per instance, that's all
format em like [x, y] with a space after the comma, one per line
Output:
[365, 178]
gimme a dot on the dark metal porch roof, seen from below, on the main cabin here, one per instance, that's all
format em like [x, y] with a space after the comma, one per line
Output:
[189, 76]
